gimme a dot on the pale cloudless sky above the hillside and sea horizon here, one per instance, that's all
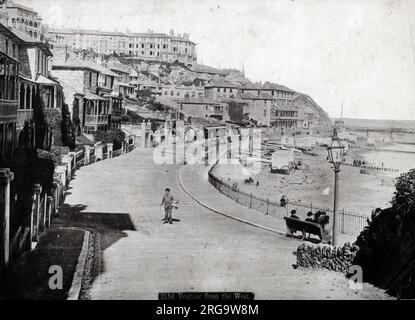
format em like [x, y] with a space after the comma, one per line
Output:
[359, 53]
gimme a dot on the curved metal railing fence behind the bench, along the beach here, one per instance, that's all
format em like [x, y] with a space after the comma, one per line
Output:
[348, 222]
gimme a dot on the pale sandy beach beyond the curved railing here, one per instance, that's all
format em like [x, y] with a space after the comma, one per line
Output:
[358, 192]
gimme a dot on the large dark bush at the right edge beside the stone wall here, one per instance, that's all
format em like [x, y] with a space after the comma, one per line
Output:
[387, 245]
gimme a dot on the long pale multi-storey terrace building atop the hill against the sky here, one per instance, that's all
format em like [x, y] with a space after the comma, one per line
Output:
[149, 45]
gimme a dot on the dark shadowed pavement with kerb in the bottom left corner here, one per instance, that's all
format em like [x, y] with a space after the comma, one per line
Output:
[32, 273]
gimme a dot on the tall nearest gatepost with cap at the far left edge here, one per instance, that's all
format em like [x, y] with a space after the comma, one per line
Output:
[6, 176]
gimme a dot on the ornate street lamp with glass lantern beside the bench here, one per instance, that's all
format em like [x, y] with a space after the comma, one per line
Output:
[336, 153]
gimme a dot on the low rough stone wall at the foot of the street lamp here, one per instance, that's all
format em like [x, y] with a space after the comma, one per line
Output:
[326, 256]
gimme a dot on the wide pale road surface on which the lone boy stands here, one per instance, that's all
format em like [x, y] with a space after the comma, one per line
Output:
[139, 256]
